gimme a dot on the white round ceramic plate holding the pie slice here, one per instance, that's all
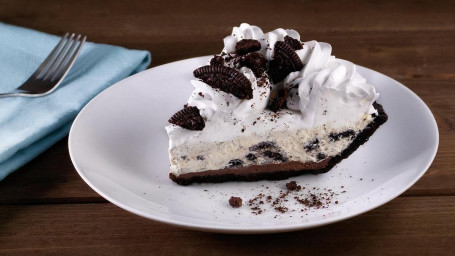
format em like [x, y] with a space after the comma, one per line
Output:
[119, 147]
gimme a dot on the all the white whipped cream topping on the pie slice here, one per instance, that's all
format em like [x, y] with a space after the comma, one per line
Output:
[327, 91]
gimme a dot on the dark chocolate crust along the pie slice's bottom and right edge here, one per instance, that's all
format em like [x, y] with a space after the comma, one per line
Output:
[283, 170]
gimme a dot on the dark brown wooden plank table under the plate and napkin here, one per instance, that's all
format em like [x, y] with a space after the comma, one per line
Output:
[46, 208]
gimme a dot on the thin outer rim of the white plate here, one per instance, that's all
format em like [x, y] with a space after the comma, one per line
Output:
[247, 230]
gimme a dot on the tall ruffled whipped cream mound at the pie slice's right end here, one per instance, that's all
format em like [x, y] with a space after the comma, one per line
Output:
[334, 93]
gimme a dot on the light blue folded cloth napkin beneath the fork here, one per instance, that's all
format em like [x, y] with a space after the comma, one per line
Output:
[29, 126]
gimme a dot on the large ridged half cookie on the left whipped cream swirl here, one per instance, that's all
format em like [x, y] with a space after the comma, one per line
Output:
[226, 79]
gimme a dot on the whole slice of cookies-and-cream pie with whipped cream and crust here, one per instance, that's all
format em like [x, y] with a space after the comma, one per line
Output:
[270, 107]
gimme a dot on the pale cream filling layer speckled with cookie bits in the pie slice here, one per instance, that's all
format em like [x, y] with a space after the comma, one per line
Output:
[201, 156]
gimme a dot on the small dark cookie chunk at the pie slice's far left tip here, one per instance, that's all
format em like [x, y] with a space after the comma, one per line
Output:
[188, 118]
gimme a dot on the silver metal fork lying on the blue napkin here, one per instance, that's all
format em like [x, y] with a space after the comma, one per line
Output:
[51, 72]
